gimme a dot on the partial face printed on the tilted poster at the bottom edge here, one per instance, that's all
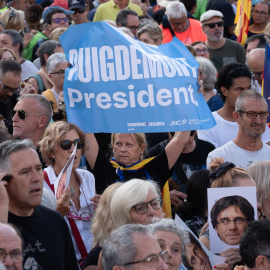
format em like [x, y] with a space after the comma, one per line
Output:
[197, 258]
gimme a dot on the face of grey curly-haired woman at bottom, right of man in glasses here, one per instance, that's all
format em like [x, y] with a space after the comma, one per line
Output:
[170, 242]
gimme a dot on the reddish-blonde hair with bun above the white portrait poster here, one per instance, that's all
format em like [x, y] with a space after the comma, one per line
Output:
[229, 177]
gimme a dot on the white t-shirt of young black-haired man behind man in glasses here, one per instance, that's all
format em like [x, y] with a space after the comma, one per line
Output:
[225, 131]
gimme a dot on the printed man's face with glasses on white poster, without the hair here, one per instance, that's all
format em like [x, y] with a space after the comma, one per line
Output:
[231, 225]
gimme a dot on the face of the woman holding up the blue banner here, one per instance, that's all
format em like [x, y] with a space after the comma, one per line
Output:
[126, 151]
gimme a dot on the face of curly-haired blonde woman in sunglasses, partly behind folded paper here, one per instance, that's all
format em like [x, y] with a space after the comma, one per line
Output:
[61, 156]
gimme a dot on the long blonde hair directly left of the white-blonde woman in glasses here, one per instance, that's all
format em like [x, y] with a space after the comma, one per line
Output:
[103, 223]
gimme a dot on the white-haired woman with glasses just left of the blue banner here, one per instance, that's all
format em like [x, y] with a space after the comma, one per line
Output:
[56, 66]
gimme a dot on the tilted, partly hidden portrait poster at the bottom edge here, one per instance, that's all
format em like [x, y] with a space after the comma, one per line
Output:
[197, 255]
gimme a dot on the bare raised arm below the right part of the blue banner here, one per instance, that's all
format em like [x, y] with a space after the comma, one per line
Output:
[175, 146]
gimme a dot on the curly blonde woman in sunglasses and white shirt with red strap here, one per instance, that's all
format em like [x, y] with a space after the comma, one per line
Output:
[56, 147]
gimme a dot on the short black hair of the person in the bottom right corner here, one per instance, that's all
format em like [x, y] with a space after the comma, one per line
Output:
[255, 242]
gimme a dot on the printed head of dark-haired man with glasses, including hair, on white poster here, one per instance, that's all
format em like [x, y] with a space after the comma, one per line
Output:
[230, 217]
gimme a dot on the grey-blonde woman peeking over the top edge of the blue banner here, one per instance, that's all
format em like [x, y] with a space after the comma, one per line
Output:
[150, 33]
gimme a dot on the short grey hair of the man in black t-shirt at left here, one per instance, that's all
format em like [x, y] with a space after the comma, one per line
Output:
[9, 147]
